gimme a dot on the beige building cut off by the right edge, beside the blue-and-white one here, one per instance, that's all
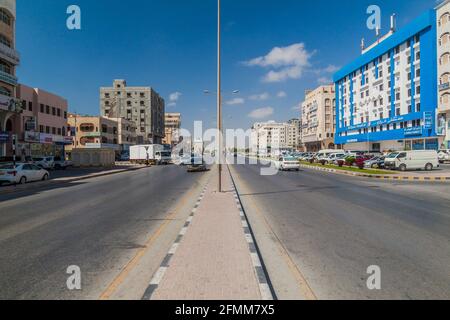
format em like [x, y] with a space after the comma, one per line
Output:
[443, 58]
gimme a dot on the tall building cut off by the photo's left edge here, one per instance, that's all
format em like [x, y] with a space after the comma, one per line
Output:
[10, 106]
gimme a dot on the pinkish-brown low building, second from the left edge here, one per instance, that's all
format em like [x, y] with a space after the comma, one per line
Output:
[41, 126]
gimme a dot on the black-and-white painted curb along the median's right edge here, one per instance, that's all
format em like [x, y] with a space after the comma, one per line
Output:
[265, 286]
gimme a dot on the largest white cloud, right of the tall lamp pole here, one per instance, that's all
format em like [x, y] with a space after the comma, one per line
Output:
[286, 62]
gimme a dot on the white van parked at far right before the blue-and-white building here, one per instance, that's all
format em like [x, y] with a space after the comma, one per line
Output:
[412, 160]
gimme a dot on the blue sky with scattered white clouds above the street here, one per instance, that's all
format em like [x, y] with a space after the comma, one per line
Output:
[171, 46]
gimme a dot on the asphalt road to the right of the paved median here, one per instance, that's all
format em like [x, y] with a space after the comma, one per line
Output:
[334, 227]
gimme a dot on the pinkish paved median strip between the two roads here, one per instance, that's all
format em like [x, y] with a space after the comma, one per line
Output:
[214, 257]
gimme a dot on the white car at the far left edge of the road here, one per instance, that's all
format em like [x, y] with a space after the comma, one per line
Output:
[22, 173]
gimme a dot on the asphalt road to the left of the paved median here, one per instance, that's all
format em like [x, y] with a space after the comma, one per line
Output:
[96, 224]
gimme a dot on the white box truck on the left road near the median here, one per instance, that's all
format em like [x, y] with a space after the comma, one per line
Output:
[150, 154]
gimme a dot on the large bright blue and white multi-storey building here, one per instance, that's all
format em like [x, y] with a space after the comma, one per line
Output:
[386, 99]
